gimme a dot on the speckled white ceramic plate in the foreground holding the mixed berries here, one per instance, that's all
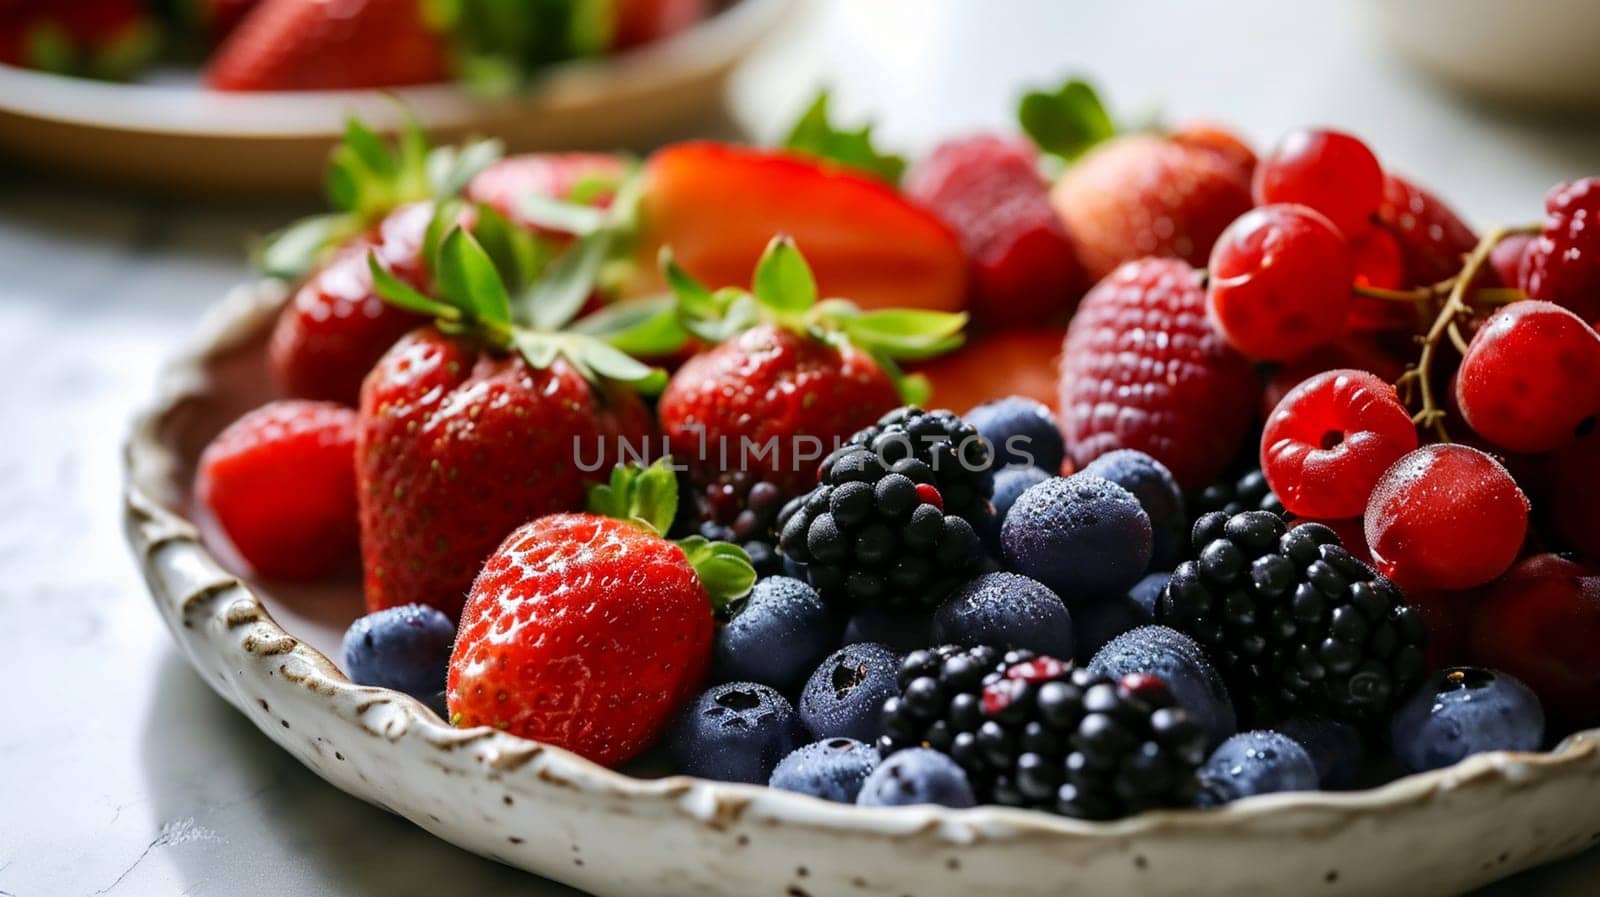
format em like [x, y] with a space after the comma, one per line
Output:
[561, 816]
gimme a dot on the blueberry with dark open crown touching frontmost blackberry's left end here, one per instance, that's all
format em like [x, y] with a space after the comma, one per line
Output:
[846, 696]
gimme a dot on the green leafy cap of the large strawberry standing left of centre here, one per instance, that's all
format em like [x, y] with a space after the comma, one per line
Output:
[473, 301]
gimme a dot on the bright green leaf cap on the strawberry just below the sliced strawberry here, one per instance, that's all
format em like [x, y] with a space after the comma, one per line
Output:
[785, 293]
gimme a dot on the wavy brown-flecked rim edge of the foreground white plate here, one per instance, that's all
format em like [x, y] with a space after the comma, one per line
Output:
[169, 548]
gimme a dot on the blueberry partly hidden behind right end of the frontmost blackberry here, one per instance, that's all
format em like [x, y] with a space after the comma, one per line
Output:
[1177, 660]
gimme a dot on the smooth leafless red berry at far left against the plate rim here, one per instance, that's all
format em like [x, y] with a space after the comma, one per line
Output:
[281, 482]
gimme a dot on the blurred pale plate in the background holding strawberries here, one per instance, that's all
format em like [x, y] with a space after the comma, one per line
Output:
[178, 137]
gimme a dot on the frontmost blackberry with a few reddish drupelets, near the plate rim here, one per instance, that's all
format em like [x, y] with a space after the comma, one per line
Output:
[1036, 733]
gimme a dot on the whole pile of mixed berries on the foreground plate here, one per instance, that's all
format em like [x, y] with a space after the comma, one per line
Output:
[1292, 522]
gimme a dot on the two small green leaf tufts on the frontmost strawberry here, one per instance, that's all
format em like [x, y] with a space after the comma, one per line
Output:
[649, 498]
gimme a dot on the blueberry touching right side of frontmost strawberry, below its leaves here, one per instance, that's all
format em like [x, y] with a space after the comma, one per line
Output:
[777, 637]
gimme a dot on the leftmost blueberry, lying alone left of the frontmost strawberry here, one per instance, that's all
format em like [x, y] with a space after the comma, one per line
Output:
[404, 648]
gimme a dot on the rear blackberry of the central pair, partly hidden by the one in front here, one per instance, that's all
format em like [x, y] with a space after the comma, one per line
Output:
[934, 447]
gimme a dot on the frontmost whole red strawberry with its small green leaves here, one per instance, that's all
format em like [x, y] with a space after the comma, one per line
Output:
[590, 631]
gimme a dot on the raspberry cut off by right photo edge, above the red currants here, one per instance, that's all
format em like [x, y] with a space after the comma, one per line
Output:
[1562, 265]
